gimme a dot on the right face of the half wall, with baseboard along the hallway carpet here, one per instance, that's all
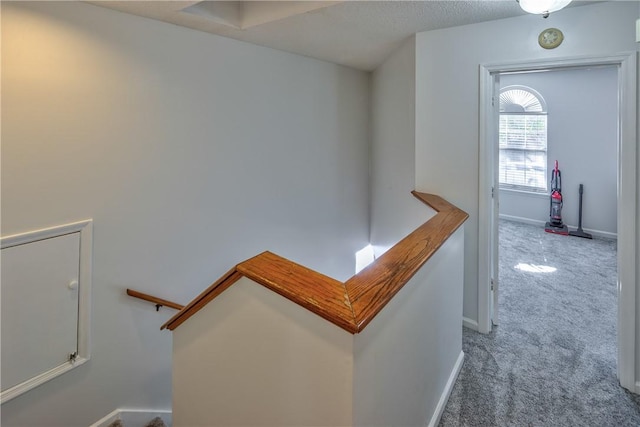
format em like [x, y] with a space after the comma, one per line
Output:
[408, 357]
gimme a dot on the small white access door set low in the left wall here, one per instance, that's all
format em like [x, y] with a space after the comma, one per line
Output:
[39, 307]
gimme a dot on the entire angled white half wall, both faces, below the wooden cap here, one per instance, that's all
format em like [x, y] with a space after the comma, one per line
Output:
[252, 357]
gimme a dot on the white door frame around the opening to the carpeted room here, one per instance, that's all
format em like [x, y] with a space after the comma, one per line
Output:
[627, 195]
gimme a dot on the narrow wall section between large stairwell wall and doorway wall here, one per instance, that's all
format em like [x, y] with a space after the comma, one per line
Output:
[394, 211]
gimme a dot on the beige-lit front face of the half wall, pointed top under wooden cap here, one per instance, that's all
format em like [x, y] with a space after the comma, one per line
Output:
[253, 358]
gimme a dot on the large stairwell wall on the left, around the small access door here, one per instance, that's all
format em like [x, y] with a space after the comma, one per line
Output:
[191, 152]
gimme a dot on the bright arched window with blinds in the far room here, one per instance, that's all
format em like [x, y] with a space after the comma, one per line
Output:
[523, 140]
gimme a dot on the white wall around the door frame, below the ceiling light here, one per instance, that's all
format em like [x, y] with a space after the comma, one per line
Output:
[447, 91]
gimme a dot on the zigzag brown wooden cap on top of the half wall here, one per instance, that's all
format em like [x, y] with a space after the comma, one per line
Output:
[353, 304]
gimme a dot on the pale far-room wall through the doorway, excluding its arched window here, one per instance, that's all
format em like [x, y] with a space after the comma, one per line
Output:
[582, 135]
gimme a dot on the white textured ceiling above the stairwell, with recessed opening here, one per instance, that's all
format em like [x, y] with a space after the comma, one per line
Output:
[358, 34]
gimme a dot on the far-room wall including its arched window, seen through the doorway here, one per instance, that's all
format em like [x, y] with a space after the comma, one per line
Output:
[568, 115]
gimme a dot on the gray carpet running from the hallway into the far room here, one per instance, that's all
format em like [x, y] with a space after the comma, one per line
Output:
[552, 360]
